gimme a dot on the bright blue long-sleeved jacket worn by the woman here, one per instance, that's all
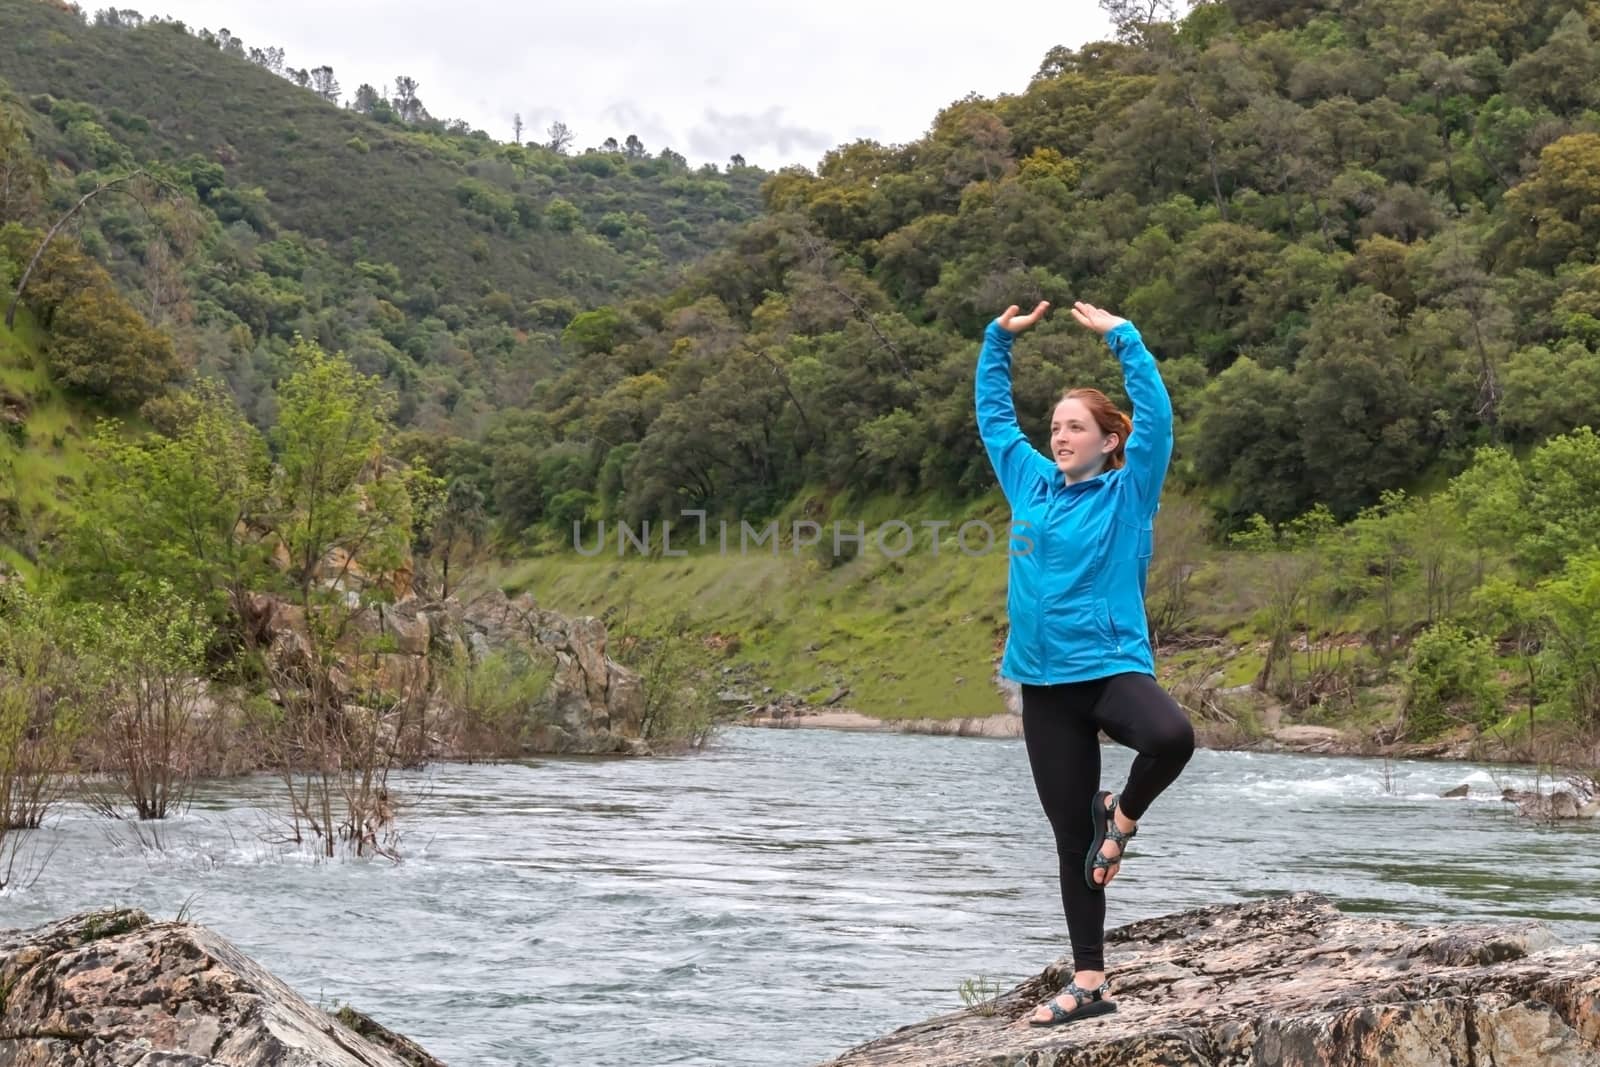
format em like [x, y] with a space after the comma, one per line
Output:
[1081, 553]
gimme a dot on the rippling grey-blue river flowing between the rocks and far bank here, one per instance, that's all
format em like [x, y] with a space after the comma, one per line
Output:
[788, 893]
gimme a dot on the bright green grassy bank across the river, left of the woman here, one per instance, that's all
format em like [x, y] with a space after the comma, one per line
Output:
[910, 637]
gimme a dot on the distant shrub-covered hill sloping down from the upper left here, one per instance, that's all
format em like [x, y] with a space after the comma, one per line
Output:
[438, 257]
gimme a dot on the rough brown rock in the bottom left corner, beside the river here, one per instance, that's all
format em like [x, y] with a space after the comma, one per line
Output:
[113, 989]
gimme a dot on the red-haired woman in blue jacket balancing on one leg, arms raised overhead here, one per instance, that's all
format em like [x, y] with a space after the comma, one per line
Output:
[1079, 642]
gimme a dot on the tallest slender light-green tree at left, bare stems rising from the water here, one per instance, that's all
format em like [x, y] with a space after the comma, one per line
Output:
[345, 514]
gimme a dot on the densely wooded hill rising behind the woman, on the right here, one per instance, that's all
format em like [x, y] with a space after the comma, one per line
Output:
[1361, 236]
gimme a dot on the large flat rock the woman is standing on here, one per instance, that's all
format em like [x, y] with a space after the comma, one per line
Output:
[1292, 983]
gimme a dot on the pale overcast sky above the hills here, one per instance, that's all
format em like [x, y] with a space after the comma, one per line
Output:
[777, 81]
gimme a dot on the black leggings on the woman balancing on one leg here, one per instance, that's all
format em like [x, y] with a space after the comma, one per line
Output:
[1062, 725]
